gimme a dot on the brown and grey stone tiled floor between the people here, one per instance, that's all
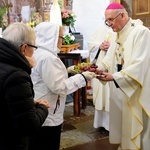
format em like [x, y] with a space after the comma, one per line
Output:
[78, 132]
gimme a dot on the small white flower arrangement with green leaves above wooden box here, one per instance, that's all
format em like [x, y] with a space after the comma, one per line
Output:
[68, 39]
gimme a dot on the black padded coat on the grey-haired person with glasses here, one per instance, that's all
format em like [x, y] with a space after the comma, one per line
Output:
[18, 114]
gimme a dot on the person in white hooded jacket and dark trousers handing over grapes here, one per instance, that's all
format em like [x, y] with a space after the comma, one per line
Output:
[51, 82]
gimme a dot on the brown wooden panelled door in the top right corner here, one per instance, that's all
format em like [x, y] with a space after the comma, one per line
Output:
[141, 10]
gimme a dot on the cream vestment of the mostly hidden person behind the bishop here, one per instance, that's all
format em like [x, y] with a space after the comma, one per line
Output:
[100, 91]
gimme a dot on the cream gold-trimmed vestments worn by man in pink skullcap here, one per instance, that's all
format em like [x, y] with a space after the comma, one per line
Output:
[128, 59]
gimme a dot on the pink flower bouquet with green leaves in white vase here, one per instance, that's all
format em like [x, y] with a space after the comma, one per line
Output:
[68, 17]
